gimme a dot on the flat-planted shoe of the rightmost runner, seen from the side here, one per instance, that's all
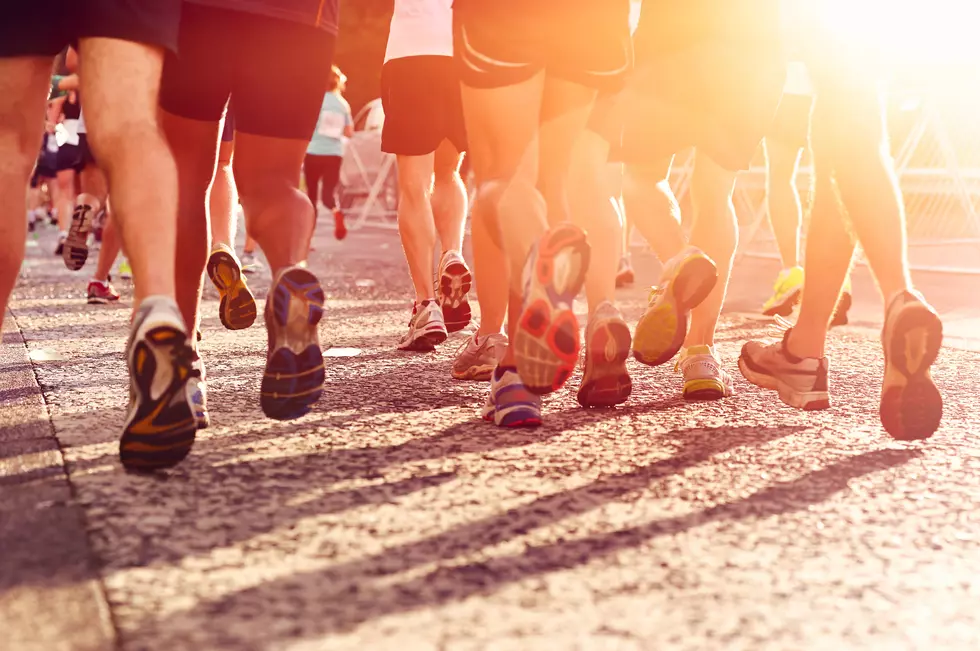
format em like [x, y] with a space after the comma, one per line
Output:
[800, 383]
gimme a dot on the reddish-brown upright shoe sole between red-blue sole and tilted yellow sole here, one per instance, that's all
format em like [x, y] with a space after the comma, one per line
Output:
[606, 382]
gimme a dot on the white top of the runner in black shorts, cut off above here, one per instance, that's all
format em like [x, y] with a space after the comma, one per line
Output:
[420, 28]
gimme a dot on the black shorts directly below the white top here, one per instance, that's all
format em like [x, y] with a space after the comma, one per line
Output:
[422, 105]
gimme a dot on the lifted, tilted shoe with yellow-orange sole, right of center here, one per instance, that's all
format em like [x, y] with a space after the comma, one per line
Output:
[686, 281]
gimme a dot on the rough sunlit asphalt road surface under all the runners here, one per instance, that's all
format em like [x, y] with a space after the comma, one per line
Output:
[393, 518]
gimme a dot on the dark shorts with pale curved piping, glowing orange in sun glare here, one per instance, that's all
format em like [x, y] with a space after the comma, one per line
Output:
[506, 42]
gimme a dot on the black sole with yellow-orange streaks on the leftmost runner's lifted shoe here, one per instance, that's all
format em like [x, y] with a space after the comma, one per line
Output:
[146, 444]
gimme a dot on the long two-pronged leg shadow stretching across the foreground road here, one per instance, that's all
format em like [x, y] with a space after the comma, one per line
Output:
[342, 597]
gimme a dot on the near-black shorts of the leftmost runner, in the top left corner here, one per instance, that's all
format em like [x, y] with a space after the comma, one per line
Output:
[35, 28]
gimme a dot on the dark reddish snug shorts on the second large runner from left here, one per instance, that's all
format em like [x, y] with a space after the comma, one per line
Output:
[275, 70]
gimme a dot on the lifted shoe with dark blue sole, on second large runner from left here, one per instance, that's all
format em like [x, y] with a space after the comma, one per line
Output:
[294, 372]
